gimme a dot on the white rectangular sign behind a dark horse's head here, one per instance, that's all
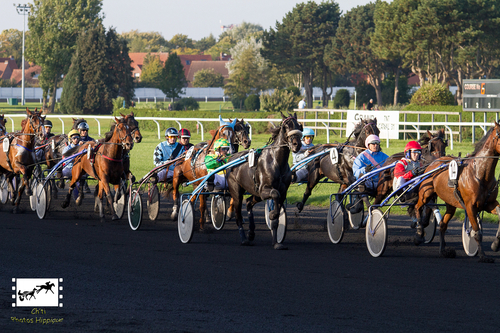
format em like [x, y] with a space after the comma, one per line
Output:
[387, 121]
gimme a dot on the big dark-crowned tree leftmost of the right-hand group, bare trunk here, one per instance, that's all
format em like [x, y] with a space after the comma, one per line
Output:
[297, 44]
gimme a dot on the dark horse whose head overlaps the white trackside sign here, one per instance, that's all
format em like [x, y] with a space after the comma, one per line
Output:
[340, 173]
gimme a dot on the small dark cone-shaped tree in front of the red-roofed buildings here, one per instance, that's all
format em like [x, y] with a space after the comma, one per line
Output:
[173, 77]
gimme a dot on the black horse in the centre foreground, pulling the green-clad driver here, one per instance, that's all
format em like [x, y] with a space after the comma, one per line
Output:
[269, 179]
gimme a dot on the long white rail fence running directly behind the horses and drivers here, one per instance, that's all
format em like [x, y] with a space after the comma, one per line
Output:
[327, 124]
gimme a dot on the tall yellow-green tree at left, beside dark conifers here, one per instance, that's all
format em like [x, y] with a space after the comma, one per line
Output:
[54, 27]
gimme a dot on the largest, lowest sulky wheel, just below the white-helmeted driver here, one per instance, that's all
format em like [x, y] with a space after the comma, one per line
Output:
[376, 233]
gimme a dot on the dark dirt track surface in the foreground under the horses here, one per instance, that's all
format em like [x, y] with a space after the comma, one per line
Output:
[119, 280]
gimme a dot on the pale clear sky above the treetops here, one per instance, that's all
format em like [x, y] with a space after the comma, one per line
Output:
[194, 18]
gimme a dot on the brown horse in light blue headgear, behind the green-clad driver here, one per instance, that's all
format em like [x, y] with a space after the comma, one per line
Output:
[194, 167]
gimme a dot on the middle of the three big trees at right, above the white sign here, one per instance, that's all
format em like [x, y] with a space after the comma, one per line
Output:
[350, 49]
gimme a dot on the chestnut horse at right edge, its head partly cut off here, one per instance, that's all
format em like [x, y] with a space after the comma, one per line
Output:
[476, 190]
